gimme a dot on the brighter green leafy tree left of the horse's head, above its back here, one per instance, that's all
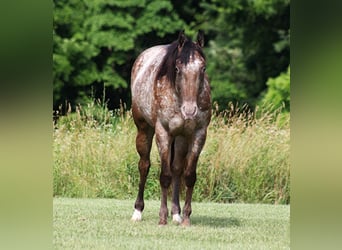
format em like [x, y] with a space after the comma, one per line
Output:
[95, 43]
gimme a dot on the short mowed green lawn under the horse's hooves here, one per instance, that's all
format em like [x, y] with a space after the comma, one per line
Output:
[105, 224]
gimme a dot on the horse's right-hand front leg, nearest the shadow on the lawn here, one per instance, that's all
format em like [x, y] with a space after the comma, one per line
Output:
[194, 151]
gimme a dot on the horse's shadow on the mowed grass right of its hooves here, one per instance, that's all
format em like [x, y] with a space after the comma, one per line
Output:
[215, 221]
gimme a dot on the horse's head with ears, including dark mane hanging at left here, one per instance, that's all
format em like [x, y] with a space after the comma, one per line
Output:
[184, 68]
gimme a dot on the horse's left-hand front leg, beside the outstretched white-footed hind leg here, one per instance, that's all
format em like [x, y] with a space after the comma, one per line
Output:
[163, 139]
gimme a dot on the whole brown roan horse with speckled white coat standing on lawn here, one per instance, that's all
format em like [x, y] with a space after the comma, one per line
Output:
[171, 99]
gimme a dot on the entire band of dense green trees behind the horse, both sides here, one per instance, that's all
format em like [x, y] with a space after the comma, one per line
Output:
[95, 44]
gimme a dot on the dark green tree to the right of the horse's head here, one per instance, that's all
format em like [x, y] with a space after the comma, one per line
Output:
[249, 44]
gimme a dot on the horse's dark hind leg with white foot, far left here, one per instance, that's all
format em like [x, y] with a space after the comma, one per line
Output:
[143, 145]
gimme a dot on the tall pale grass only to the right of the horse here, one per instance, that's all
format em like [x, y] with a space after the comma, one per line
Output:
[246, 157]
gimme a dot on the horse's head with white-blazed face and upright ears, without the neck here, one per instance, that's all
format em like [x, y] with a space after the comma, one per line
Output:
[189, 74]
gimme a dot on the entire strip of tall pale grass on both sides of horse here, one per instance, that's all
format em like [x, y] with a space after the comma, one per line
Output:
[245, 159]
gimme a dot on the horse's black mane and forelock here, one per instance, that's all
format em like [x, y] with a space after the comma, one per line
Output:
[167, 67]
